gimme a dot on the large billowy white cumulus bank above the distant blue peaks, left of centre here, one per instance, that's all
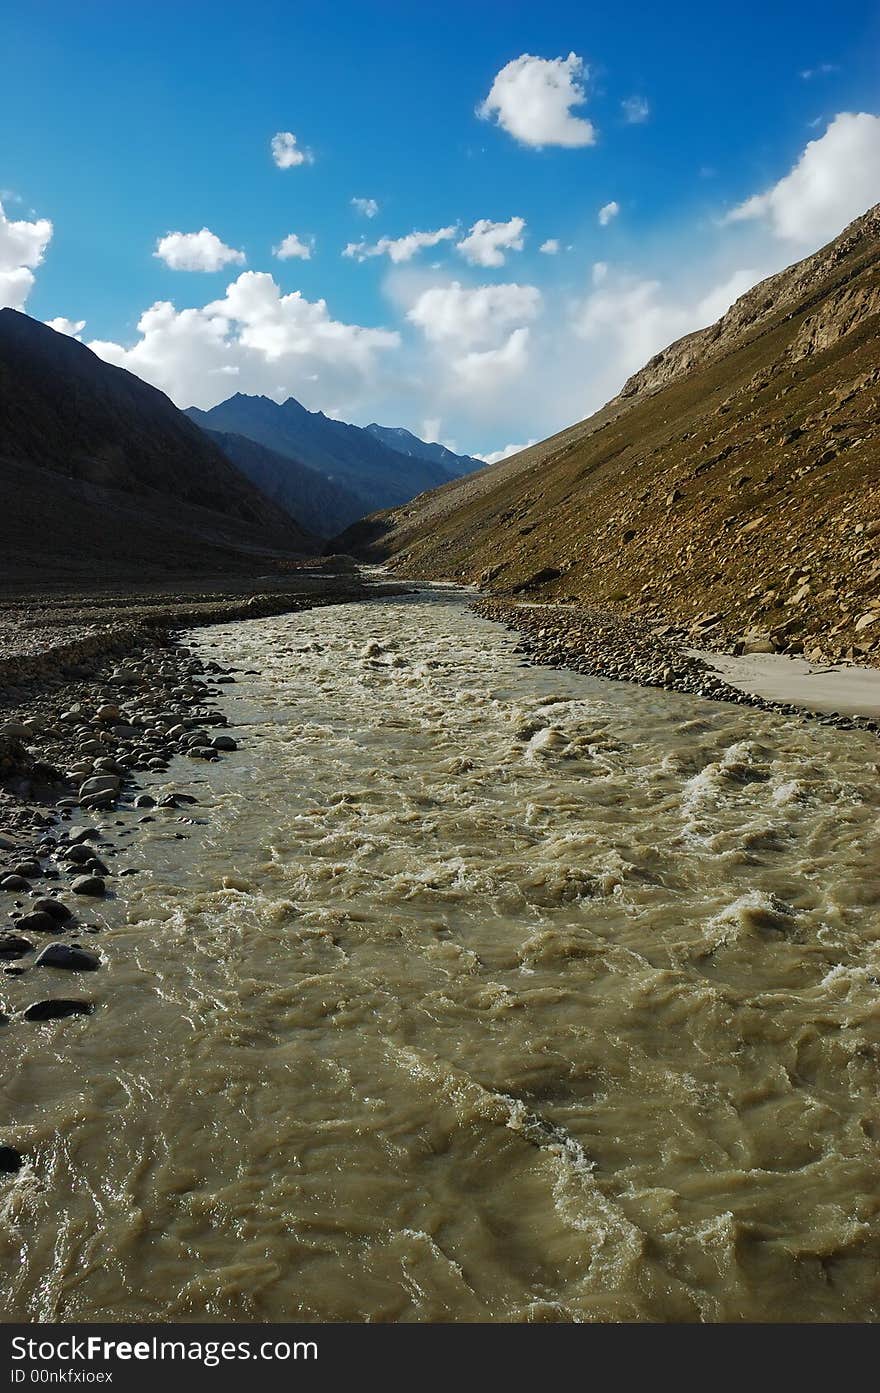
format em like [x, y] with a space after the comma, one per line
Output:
[257, 341]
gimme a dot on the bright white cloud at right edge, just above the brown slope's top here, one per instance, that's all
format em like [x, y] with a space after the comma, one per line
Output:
[836, 179]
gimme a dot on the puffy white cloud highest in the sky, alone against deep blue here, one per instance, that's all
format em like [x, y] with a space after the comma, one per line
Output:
[533, 100]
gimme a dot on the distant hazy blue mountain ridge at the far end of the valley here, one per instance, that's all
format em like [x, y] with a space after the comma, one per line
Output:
[367, 472]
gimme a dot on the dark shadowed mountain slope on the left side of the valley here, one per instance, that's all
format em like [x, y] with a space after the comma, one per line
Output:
[104, 474]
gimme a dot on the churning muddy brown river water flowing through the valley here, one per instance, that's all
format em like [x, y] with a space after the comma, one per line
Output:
[473, 991]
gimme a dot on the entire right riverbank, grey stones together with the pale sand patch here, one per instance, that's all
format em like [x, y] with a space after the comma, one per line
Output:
[626, 648]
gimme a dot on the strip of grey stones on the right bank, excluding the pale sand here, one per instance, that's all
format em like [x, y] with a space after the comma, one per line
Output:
[626, 648]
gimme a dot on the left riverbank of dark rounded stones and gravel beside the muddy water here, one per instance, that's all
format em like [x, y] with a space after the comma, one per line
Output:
[95, 694]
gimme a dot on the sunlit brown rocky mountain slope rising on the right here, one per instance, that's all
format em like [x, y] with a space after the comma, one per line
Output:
[734, 481]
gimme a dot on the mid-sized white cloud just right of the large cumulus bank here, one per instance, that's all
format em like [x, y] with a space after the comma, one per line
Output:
[474, 317]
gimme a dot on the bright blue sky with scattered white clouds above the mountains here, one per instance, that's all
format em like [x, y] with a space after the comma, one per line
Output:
[122, 125]
